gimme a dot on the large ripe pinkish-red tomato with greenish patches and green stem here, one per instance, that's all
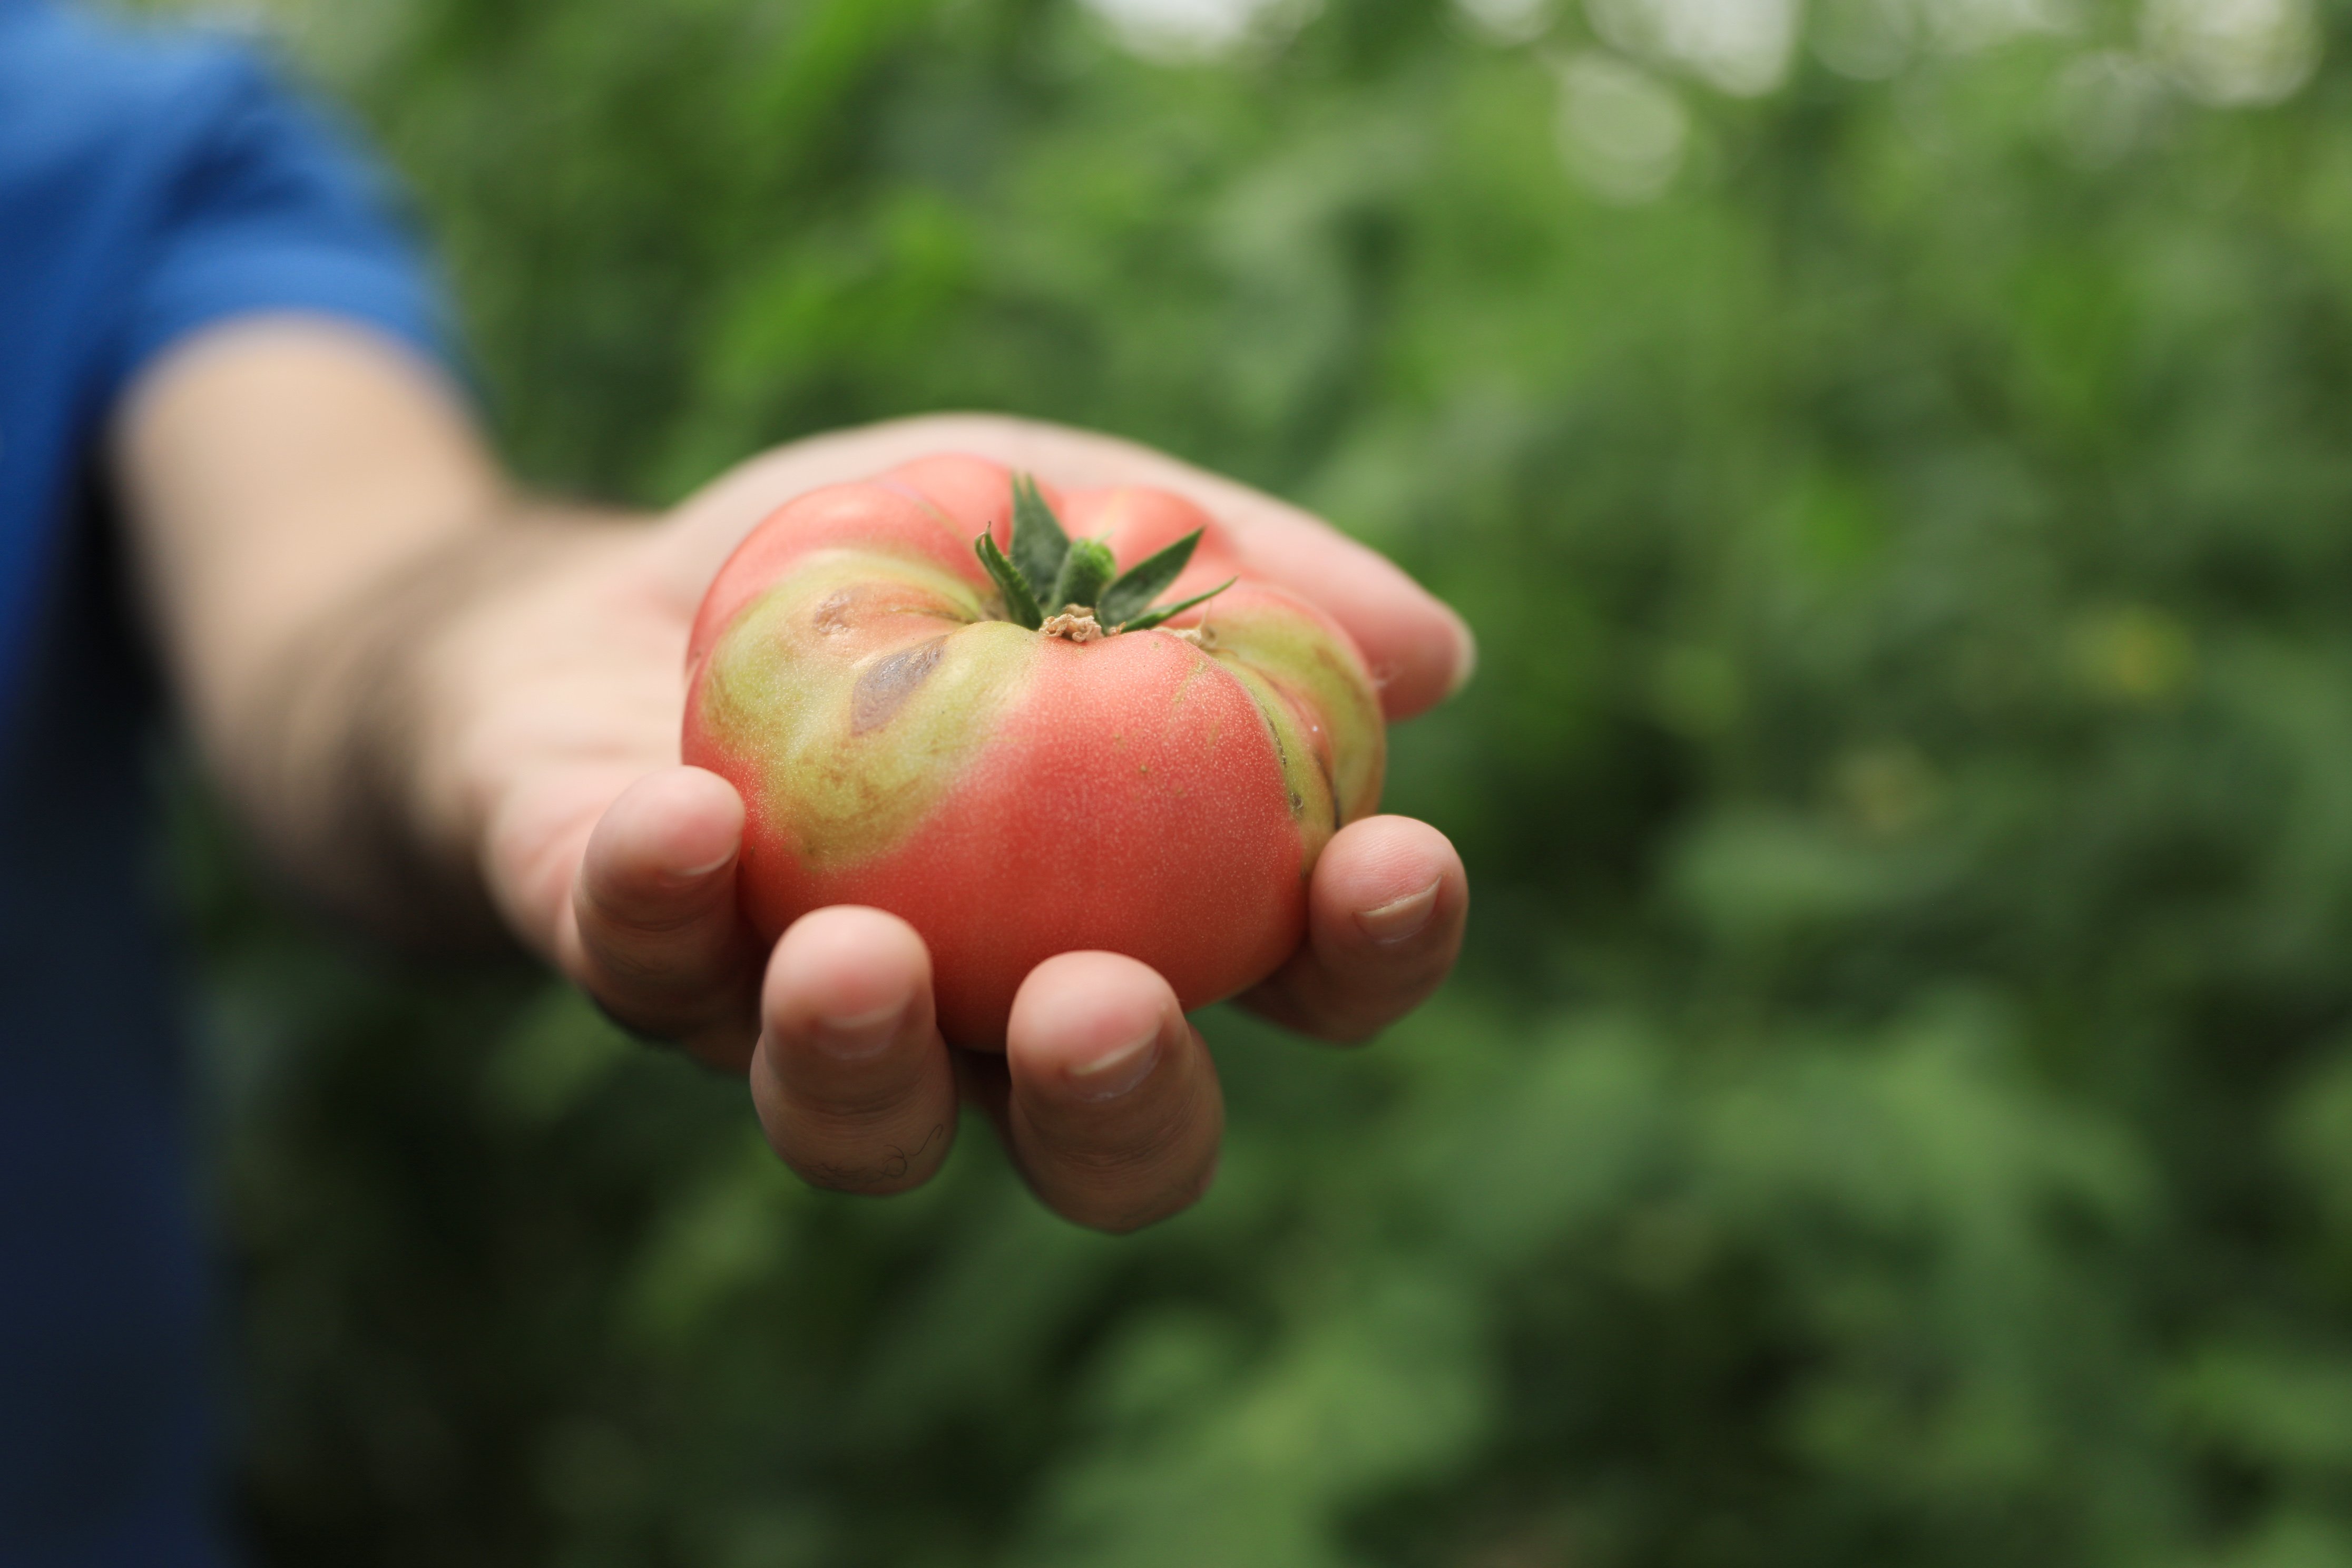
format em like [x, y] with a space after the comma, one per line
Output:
[1022, 749]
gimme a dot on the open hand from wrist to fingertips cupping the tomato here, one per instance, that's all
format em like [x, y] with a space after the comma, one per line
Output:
[620, 864]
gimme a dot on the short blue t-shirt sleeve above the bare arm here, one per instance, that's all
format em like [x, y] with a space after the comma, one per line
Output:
[276, 210]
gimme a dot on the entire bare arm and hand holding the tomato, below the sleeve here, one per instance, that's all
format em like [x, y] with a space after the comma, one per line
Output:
[446, 706]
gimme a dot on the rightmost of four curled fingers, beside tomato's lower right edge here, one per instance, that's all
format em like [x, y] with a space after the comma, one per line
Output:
[1387, 918]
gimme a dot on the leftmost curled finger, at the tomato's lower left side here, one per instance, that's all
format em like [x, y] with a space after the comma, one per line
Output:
[657, 937]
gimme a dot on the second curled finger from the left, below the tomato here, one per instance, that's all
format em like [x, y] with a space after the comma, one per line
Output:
[853, 1078]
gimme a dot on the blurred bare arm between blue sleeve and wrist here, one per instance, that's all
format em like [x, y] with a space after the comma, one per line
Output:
[316, 528]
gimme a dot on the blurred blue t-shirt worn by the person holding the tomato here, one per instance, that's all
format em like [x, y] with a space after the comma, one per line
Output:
[152, 185]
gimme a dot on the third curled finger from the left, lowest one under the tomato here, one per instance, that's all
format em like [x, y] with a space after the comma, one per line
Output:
[1116, 1111]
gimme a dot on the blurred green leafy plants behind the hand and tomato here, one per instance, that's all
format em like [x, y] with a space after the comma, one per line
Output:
[1897, 1106]
